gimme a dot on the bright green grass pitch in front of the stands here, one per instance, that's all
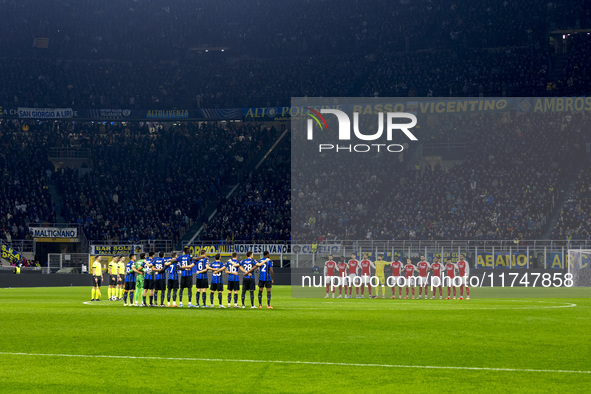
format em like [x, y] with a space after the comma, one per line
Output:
[51, 341]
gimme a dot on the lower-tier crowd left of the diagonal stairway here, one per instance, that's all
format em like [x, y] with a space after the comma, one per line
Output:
[141, 181]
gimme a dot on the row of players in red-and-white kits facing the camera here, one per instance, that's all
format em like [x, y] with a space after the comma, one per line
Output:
[347, 272]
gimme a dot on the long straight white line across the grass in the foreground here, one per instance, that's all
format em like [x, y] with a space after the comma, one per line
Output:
[296, 362]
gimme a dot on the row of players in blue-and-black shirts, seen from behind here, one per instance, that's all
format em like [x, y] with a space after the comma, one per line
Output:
[151, 275]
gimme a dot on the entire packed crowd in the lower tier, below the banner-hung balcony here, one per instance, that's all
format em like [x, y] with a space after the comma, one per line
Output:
[146, 182]
